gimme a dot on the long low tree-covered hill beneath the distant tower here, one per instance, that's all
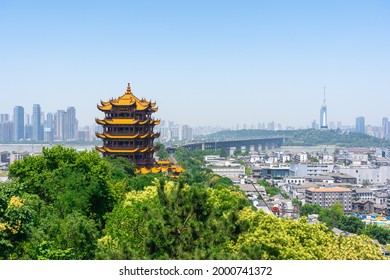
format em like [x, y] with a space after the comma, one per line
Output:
[306, 137]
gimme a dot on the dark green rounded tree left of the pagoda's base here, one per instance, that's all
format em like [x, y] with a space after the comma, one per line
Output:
[70, 180]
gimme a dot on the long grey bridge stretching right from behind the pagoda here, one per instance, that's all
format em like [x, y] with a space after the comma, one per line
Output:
[243, 145]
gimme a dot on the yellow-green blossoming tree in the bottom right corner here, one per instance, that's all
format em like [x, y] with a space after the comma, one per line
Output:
[264, 236]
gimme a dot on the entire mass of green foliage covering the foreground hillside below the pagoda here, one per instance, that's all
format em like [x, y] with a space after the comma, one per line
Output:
[66, 204]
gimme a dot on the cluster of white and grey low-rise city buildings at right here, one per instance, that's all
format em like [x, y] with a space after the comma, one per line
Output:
[357, 178]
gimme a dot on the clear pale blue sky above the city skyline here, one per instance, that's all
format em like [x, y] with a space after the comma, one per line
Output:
[204, 62]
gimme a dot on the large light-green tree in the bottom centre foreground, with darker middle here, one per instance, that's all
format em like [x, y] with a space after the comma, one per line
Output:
[173, 221]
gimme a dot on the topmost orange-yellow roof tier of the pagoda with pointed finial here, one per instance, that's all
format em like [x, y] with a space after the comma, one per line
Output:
[128, 99]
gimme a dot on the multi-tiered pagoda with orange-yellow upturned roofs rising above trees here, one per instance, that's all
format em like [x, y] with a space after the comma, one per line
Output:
[128, 132]
